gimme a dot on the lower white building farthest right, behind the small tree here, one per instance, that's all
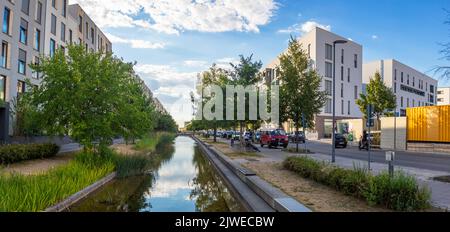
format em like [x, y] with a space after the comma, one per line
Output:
[411, 87]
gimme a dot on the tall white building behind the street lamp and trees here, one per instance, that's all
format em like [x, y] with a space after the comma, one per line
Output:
[348, 66]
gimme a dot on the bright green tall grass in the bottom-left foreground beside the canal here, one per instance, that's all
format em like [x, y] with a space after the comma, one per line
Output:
[19, 193]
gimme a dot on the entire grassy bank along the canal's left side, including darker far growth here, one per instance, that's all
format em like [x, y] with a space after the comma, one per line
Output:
[19, 193]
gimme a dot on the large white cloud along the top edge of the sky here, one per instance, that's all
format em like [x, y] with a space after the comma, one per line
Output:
[175, 16]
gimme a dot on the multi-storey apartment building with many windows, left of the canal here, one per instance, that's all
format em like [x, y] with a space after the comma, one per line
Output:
[34, 28]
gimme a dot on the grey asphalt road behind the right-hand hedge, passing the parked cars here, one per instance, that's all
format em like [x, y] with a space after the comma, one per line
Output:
[435, 162]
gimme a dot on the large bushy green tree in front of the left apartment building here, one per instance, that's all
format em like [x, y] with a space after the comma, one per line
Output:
[90, 96]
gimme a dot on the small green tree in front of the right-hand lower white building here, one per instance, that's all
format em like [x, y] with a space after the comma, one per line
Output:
[380, 96]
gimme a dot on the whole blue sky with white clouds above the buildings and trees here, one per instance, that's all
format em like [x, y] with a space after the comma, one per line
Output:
[173, 40]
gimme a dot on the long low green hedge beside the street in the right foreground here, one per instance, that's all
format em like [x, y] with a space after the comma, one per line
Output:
[401, 192]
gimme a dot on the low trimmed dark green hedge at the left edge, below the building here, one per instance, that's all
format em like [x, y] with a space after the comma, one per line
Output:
[19, 152]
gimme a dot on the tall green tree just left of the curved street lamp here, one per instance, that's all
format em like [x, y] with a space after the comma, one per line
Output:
[300, 95]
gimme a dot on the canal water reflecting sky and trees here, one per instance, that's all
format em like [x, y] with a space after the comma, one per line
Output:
[181, 179]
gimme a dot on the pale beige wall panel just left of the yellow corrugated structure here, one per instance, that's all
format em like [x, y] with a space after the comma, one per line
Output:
[388, 133]
